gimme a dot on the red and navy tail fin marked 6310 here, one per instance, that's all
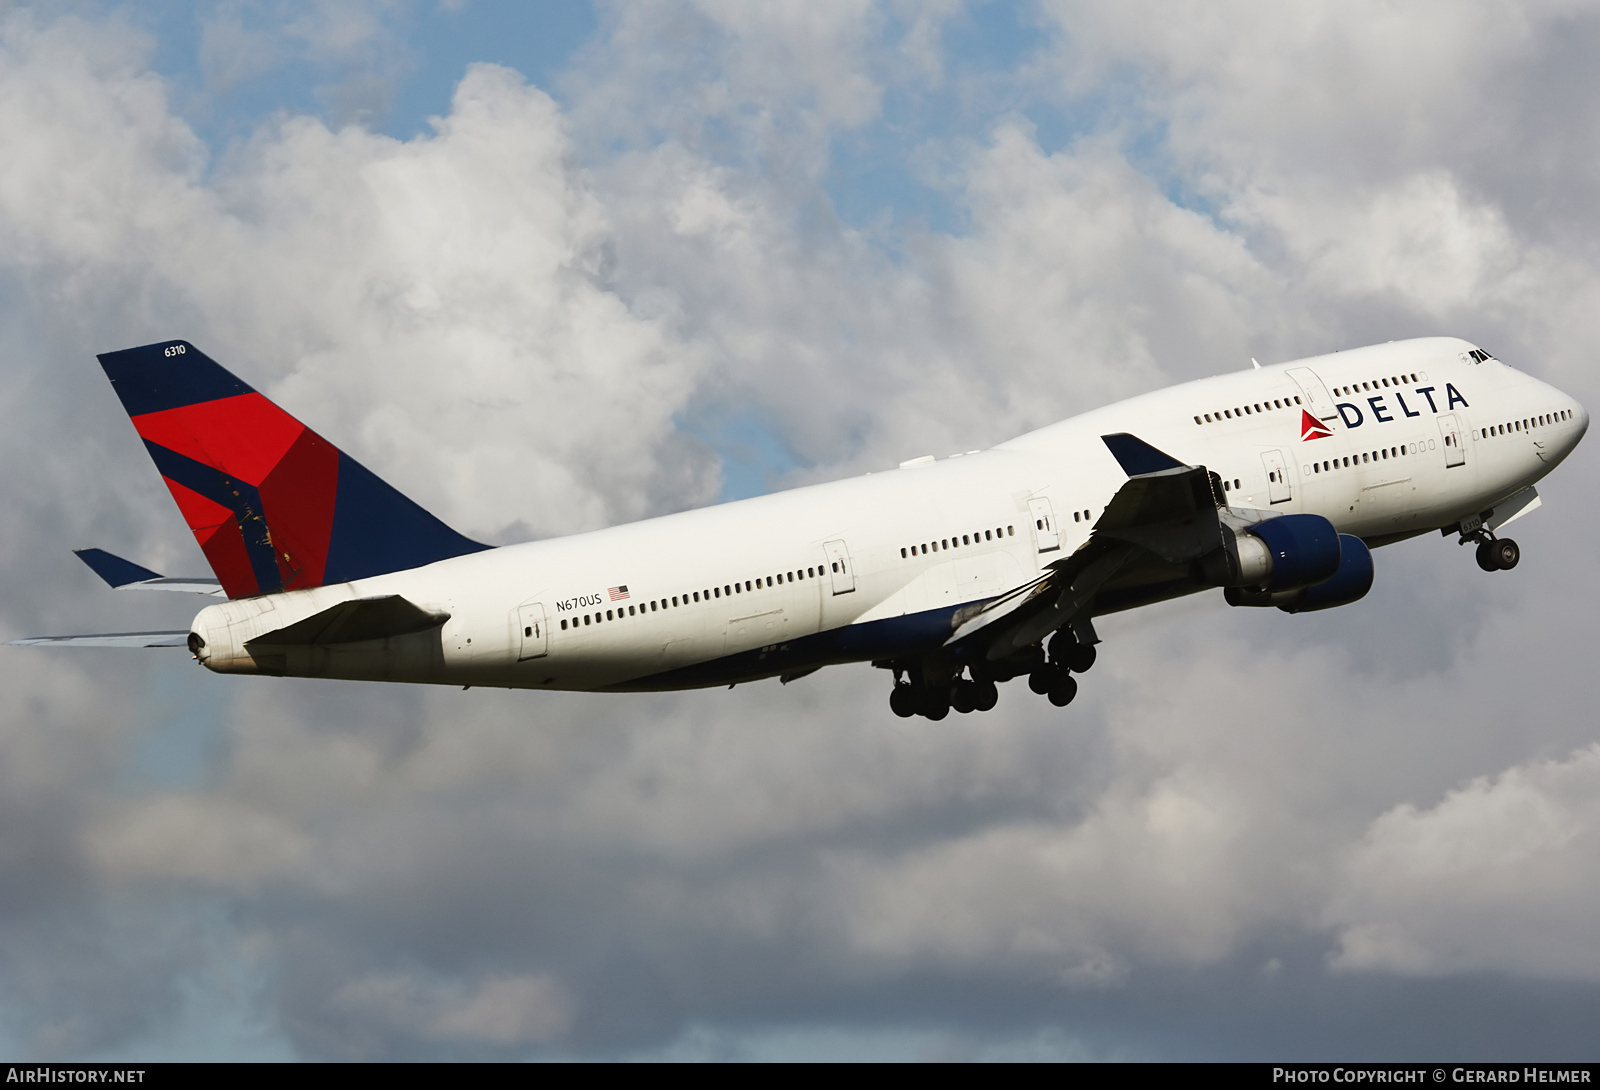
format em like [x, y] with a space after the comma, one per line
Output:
[273, 505]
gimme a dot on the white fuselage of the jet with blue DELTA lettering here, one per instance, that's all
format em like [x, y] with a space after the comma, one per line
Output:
[874, 567]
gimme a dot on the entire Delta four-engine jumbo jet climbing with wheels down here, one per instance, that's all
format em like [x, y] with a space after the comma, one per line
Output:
[956, 575]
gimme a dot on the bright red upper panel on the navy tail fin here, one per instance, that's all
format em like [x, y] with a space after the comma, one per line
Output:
[242, 436]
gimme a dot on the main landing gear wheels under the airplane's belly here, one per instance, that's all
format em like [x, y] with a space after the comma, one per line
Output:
[1052, 678]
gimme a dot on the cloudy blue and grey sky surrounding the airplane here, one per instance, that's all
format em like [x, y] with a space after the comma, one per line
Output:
[558, 266]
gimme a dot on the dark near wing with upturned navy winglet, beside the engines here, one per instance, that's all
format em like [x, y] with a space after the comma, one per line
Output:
[1162, 521]
